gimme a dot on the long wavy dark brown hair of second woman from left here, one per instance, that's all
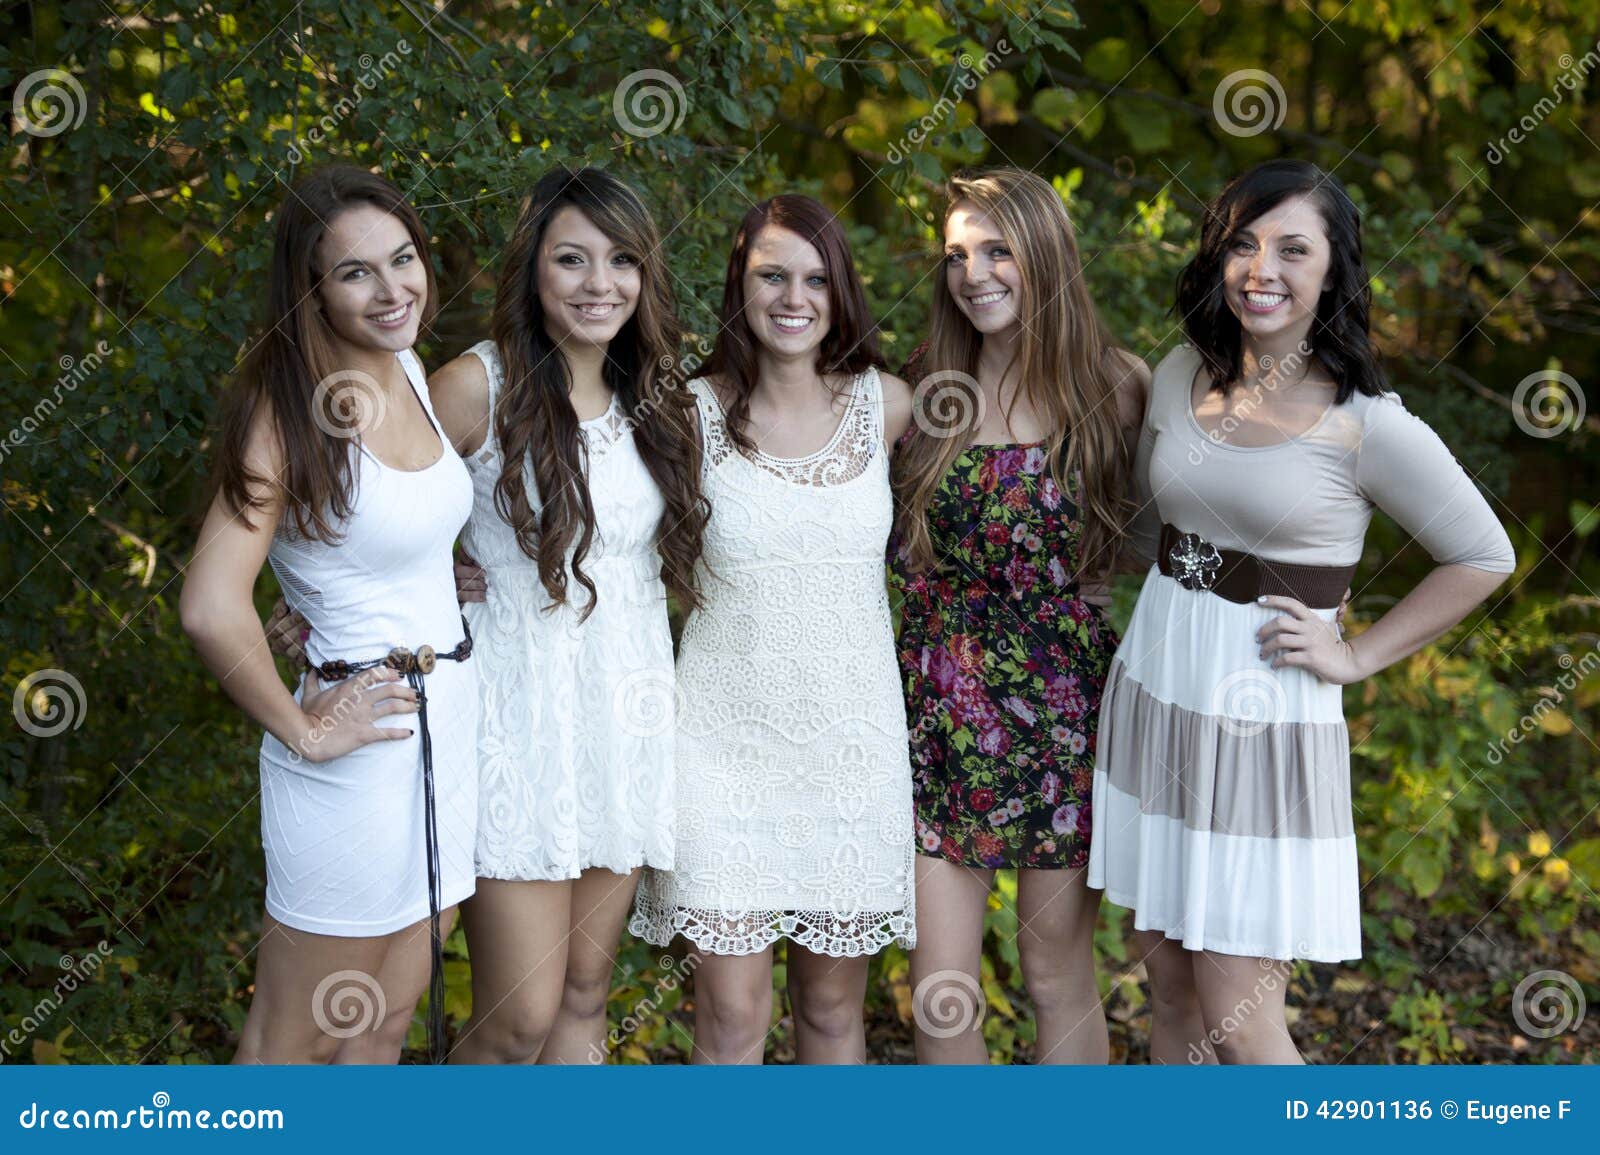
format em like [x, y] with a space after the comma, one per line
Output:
[535, 420]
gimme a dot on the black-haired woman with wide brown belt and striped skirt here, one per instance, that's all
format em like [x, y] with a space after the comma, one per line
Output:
[1223, 785]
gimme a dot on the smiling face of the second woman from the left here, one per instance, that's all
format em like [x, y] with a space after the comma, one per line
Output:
[588, 284]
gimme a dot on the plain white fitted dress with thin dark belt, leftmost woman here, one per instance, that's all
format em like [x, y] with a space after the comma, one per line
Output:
[345, 839]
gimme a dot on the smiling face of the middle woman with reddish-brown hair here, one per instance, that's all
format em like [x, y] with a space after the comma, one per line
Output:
[786, 297]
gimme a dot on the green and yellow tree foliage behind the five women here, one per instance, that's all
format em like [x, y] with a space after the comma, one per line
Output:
[150, 145]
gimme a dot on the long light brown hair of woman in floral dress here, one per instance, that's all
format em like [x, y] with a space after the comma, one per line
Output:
[1068, 370]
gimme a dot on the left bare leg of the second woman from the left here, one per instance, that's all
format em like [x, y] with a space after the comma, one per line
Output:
[518, 935]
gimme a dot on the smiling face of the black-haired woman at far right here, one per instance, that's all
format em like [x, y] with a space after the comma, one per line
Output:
[1276, 271]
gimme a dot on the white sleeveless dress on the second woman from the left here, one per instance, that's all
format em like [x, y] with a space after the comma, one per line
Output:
[575, 735]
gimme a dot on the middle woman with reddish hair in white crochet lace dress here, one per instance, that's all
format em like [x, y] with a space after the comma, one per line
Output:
[794, 778]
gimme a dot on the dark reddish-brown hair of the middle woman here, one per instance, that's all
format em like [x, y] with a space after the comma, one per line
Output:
[852, 343]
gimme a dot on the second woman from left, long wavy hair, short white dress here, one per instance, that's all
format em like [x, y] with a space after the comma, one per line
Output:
[586, 516]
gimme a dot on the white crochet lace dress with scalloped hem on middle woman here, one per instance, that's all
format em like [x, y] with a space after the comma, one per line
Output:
[794, 772]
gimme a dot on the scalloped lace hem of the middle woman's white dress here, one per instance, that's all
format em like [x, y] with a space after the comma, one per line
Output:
[745, 933]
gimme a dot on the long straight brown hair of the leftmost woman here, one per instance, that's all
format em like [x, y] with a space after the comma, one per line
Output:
[281, 374]
